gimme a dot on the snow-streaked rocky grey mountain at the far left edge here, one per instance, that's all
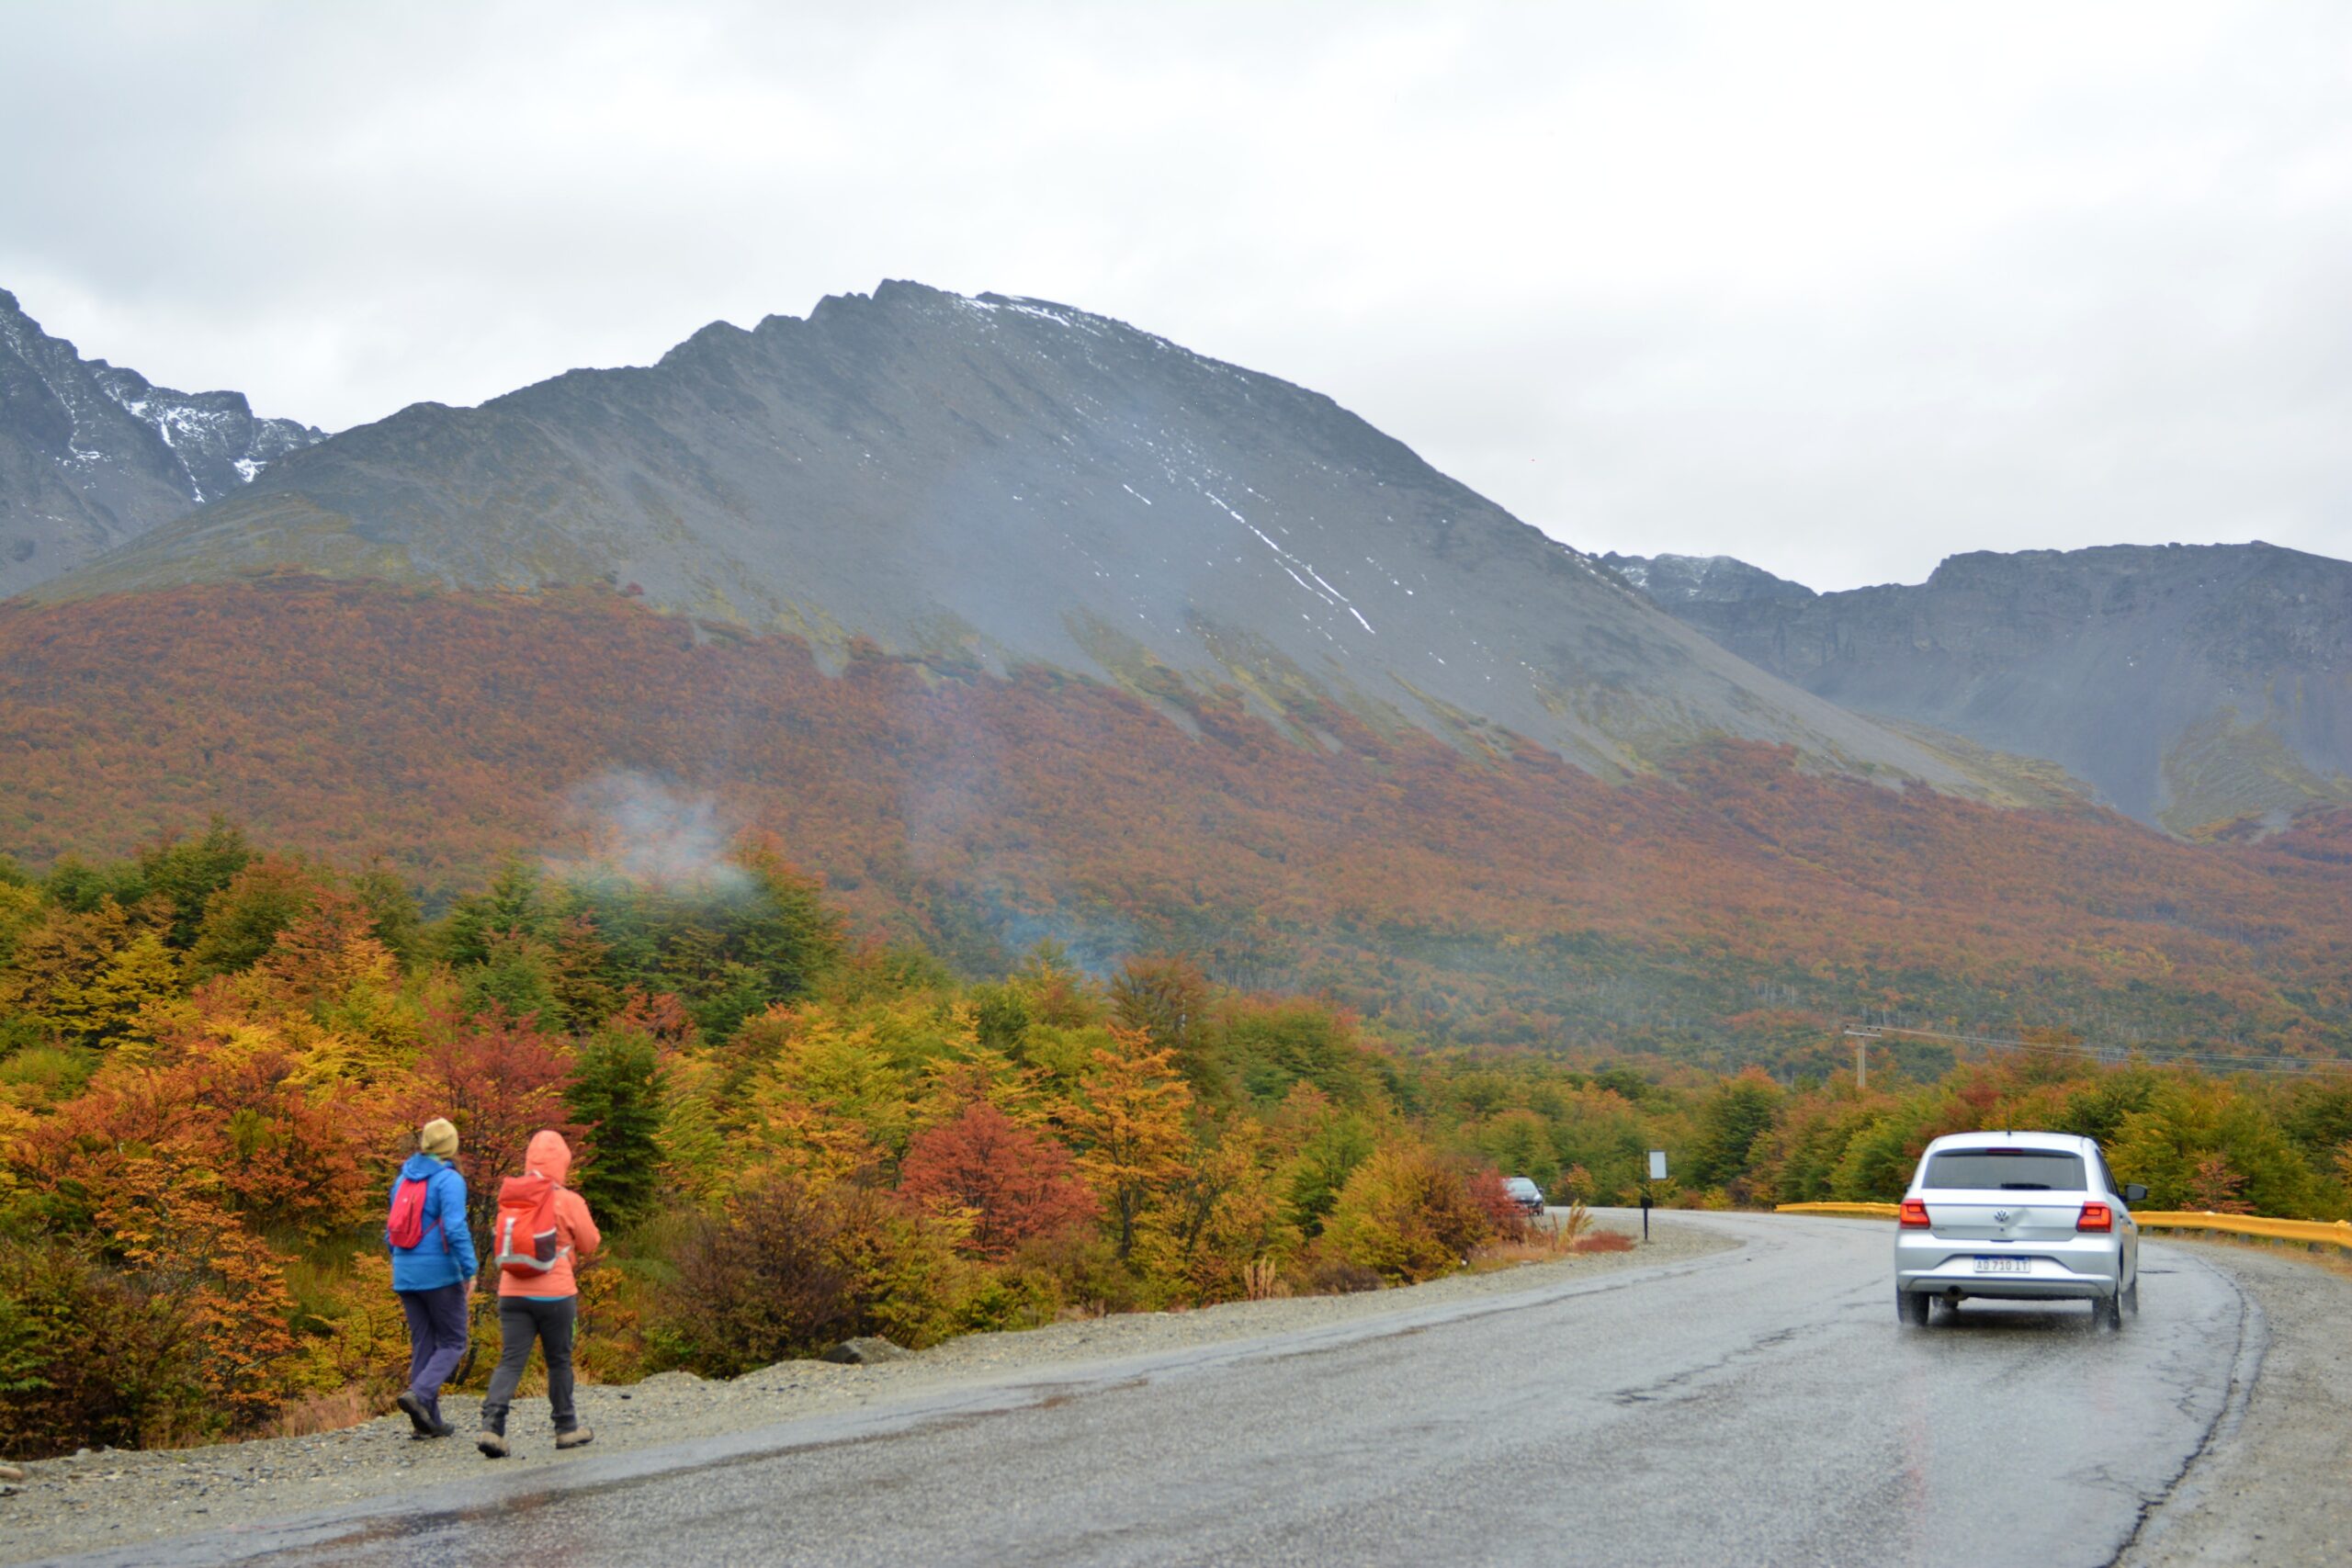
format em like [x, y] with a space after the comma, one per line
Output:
[95, 455]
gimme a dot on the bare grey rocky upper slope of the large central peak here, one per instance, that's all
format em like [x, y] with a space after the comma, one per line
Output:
[1003, 483]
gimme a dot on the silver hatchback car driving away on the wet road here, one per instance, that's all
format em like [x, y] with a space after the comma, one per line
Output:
[2017, 1217]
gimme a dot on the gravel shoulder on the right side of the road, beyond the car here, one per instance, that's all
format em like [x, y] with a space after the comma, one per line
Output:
[2269, 1487]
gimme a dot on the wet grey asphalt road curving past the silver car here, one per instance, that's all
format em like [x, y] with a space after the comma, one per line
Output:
[1751, 1407]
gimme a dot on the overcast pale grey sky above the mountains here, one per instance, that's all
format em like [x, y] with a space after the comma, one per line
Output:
[1838, 290]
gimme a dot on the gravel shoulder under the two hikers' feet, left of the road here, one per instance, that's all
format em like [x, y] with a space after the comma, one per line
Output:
[114, 1501]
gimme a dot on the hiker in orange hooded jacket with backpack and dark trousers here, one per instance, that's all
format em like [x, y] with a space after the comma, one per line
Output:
[540, 1231]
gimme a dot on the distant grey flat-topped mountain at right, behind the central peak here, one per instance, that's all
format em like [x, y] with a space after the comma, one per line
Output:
[2191, 685]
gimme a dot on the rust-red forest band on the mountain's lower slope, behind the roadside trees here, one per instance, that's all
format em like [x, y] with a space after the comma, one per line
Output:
[1720, 906]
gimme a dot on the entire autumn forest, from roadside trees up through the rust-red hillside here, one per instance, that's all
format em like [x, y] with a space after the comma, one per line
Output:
[918, 1003]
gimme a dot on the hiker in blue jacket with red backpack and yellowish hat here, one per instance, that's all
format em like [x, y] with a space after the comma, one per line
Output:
[432, 1271]
